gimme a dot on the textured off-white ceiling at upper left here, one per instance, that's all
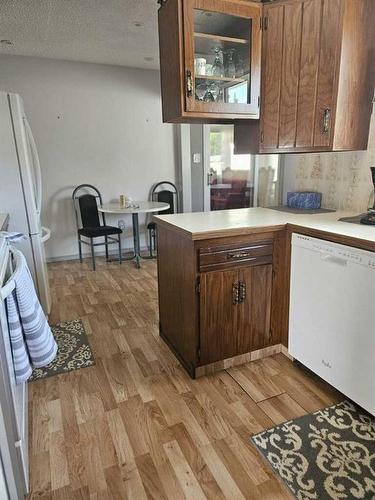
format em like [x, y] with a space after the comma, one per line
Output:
[98, 31]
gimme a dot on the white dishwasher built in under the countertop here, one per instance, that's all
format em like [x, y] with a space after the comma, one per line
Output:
[332, 315]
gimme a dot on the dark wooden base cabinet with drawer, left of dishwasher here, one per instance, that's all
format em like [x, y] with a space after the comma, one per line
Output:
[222, 297]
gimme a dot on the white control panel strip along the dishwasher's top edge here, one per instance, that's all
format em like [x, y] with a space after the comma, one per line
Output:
[339, 252]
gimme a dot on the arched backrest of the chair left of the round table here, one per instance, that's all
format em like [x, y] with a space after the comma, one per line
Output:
[88, 206]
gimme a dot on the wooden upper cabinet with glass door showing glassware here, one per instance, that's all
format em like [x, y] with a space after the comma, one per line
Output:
[210, 59]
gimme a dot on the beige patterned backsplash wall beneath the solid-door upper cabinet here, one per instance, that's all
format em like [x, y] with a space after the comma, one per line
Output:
[343, 178]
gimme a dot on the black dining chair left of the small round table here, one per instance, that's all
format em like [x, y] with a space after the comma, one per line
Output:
[85, 201]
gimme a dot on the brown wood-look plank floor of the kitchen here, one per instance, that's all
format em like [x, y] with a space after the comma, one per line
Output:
[135, 425]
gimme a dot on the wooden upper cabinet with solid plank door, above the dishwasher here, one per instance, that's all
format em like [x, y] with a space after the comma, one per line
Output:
[318, 72]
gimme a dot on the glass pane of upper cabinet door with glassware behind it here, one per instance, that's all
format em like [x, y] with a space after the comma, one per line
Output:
[222, 54]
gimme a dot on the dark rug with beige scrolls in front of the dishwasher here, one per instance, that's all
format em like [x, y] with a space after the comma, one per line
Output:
[324, 455]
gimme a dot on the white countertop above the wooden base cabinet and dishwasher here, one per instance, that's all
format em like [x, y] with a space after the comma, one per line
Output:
[200, 225]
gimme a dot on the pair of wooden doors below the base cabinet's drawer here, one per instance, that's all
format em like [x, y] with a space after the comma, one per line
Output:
[235, 311]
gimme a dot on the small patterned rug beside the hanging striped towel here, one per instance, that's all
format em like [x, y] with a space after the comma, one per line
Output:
[73, 350]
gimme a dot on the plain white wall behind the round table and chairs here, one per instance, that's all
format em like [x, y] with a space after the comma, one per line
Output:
[93, 124]
